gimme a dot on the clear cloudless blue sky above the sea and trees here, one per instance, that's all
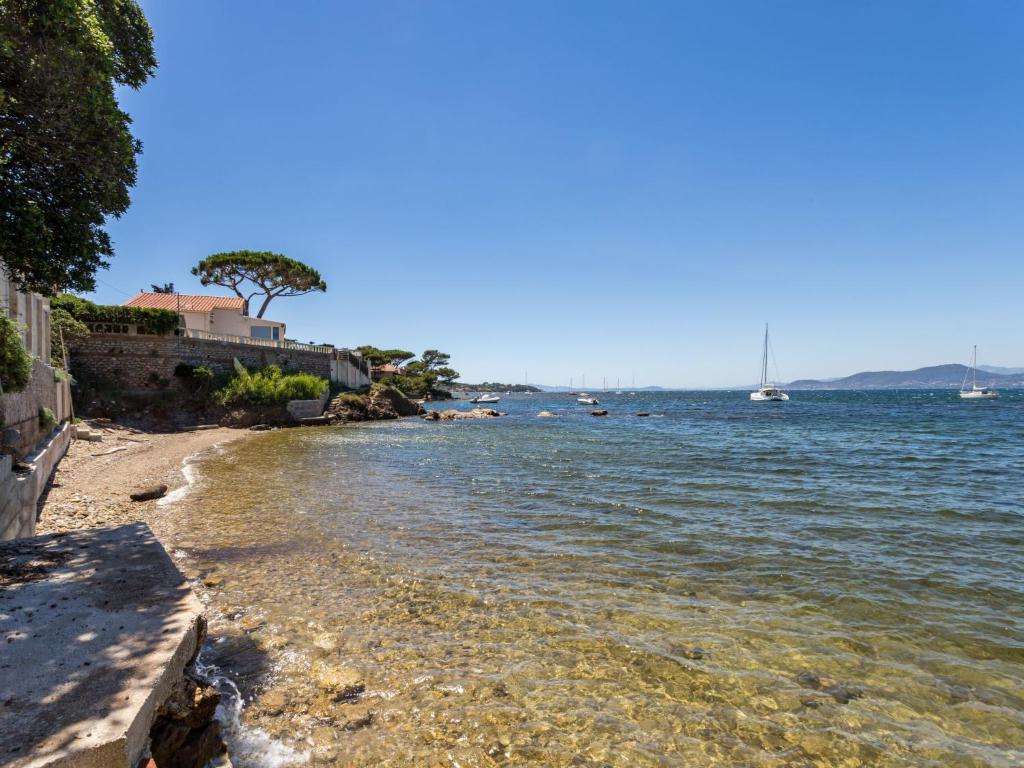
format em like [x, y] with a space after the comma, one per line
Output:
[603, 189]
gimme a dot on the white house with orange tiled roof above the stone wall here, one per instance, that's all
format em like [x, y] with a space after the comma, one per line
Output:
[214, 315]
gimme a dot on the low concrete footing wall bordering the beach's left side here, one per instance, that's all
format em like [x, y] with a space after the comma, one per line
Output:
[20, 492]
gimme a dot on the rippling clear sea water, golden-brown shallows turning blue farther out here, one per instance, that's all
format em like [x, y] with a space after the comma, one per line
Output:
[837, 581]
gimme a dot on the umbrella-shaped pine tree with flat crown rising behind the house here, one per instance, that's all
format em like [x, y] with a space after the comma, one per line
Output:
[272, 274]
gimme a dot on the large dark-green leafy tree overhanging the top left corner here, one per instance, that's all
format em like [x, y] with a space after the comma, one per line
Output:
[67, 155]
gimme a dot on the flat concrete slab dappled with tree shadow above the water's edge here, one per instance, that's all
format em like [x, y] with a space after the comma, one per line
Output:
[96, 627]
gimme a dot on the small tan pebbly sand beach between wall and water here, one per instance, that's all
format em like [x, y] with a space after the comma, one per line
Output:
[93, 484]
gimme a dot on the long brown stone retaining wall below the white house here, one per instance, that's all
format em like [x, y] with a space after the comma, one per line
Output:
[148, 363]
